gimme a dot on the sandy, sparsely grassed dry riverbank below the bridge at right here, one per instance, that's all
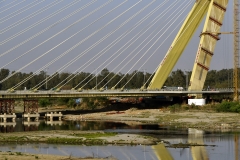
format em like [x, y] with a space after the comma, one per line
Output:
[184, 119]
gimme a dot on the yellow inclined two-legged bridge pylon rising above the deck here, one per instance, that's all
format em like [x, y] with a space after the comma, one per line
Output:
[215, 10]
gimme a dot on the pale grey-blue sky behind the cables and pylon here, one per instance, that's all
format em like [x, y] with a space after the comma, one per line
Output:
[22, 19]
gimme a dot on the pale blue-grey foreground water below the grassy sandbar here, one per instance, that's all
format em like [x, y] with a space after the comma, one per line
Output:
[224, 149]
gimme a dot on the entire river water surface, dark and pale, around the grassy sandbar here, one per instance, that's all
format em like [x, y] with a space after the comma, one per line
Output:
[218, 145]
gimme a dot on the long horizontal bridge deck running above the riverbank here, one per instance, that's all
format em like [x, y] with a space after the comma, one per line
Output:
[106, 93]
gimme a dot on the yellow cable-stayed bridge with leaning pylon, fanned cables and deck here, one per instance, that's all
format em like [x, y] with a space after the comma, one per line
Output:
[88, 36]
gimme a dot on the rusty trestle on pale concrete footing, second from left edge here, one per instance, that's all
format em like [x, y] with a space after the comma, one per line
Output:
[31, 110]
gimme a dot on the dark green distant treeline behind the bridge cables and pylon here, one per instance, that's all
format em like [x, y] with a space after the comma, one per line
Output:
[215, 79]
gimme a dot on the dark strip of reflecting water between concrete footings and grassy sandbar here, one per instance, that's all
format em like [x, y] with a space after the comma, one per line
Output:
[41, 125]
